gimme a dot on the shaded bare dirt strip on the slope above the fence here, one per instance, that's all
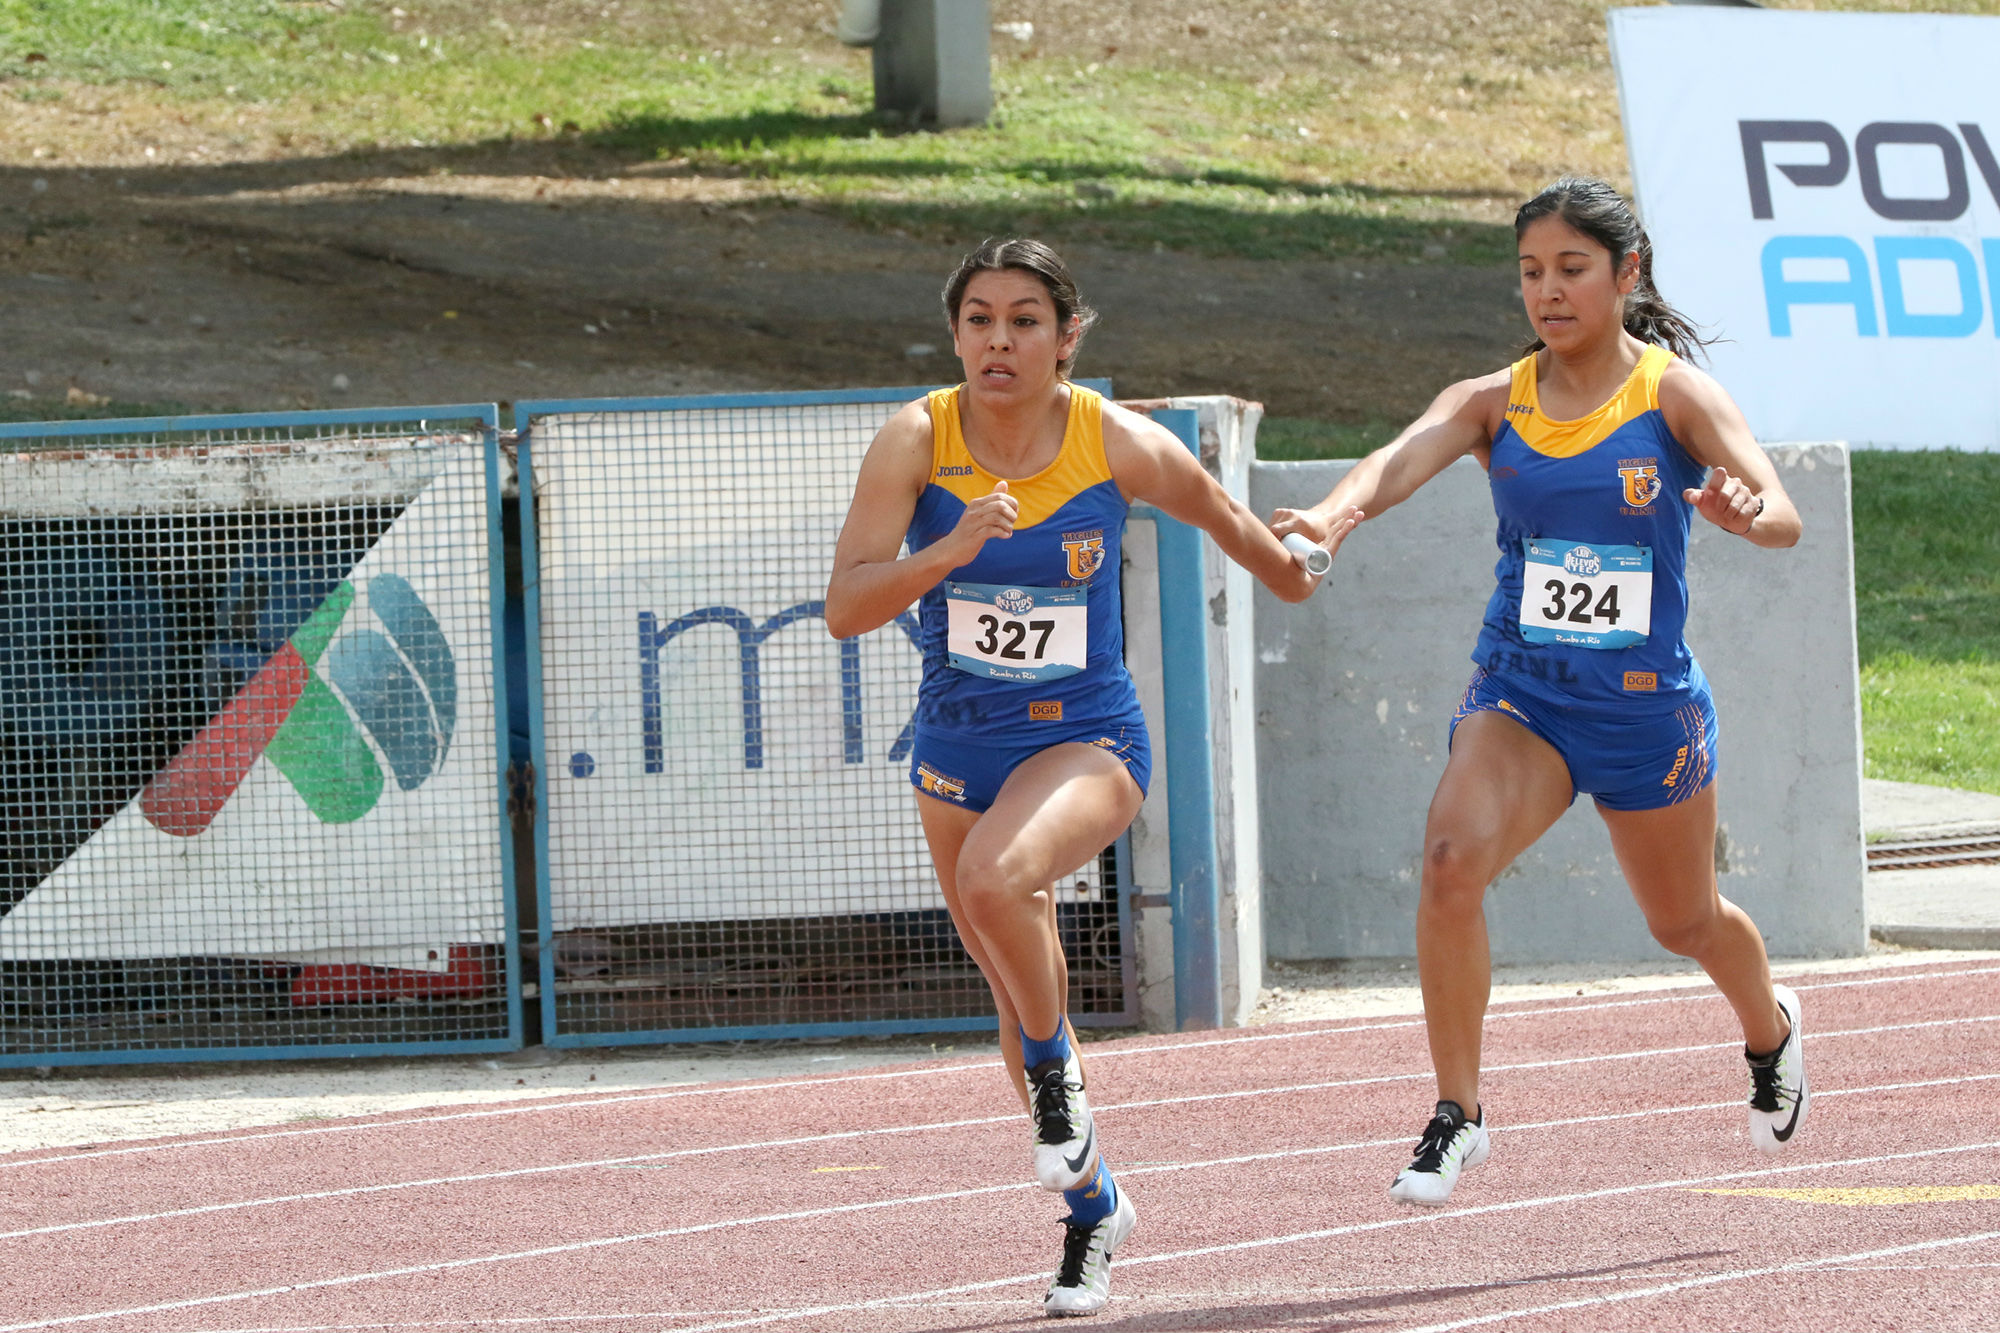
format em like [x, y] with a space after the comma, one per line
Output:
[553, 271]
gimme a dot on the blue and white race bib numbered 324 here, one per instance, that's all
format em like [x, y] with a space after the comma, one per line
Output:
[1585, 597]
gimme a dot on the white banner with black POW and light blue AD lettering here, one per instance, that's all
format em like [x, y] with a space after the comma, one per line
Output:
[1823, 193]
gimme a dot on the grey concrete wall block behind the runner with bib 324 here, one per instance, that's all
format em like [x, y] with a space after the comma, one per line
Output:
[1357, 690]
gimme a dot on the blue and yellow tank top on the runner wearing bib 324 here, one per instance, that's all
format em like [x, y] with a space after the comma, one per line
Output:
[1591, 587]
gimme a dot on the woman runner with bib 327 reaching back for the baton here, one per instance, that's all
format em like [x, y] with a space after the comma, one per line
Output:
[1031, 754]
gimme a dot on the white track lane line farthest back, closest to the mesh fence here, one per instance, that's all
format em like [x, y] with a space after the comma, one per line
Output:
[613, 1100]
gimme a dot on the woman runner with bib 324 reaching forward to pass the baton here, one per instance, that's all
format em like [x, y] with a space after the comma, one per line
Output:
[1601, 447]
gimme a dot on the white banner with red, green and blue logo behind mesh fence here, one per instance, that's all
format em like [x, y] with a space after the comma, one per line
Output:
[343, 806]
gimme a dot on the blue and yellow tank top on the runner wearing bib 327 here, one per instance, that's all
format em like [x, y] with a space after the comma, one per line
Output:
[1029, 635]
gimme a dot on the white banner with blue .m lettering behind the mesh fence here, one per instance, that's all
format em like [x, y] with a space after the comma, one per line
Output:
[713, 754]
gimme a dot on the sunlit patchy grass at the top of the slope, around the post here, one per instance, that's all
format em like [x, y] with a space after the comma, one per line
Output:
[1263, 131]
